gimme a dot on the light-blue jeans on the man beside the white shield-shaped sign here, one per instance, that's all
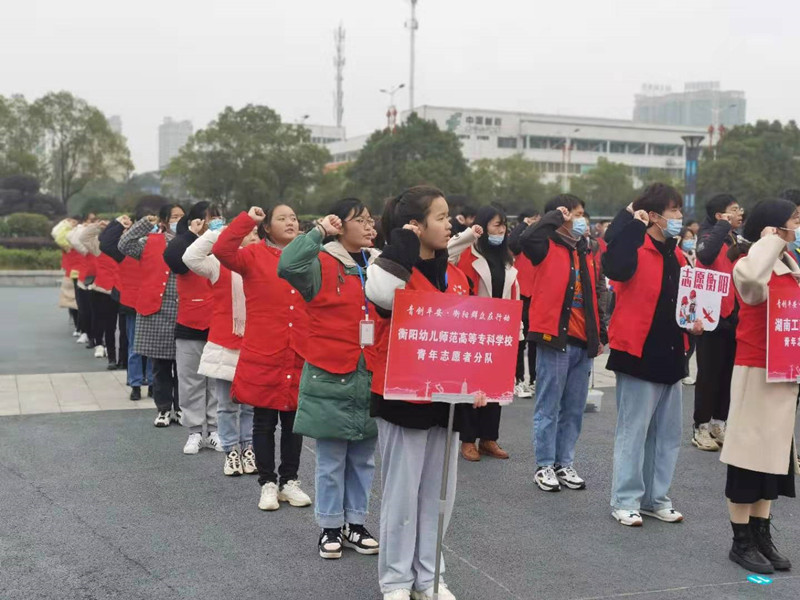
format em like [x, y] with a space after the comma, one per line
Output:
[647, 442]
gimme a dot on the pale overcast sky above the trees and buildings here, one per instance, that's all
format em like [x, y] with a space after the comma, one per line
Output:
[189, 59]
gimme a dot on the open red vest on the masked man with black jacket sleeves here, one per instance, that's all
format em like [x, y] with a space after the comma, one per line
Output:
[552, 279]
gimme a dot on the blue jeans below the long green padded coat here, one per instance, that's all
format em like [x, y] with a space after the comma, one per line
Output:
[343, 481]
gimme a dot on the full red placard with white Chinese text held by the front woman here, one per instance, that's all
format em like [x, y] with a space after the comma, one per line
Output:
[447, 345]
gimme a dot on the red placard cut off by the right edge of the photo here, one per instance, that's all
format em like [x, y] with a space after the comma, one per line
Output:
[783, 335]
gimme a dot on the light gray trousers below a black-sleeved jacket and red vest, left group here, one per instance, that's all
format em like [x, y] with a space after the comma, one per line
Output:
[198, 402]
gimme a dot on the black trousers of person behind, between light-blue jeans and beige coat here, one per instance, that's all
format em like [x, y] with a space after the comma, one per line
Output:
[716, 351]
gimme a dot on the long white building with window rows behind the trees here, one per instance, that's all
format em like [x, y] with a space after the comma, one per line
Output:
[557, 144]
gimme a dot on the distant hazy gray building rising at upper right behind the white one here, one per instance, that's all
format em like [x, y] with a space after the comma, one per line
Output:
[700, 104]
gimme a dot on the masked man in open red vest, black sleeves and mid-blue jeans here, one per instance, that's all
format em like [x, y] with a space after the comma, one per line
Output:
[567, 325]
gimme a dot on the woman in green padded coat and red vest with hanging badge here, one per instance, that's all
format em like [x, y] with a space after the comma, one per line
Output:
[333, 406]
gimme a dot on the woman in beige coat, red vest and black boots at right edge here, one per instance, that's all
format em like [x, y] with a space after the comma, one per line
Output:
[760, 449]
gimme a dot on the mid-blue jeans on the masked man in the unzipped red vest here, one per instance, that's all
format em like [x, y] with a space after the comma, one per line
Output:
[562, 385]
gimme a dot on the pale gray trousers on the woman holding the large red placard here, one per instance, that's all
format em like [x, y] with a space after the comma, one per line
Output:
[411, 480]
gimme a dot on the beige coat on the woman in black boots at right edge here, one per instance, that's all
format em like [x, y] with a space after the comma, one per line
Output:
[761, 421]
